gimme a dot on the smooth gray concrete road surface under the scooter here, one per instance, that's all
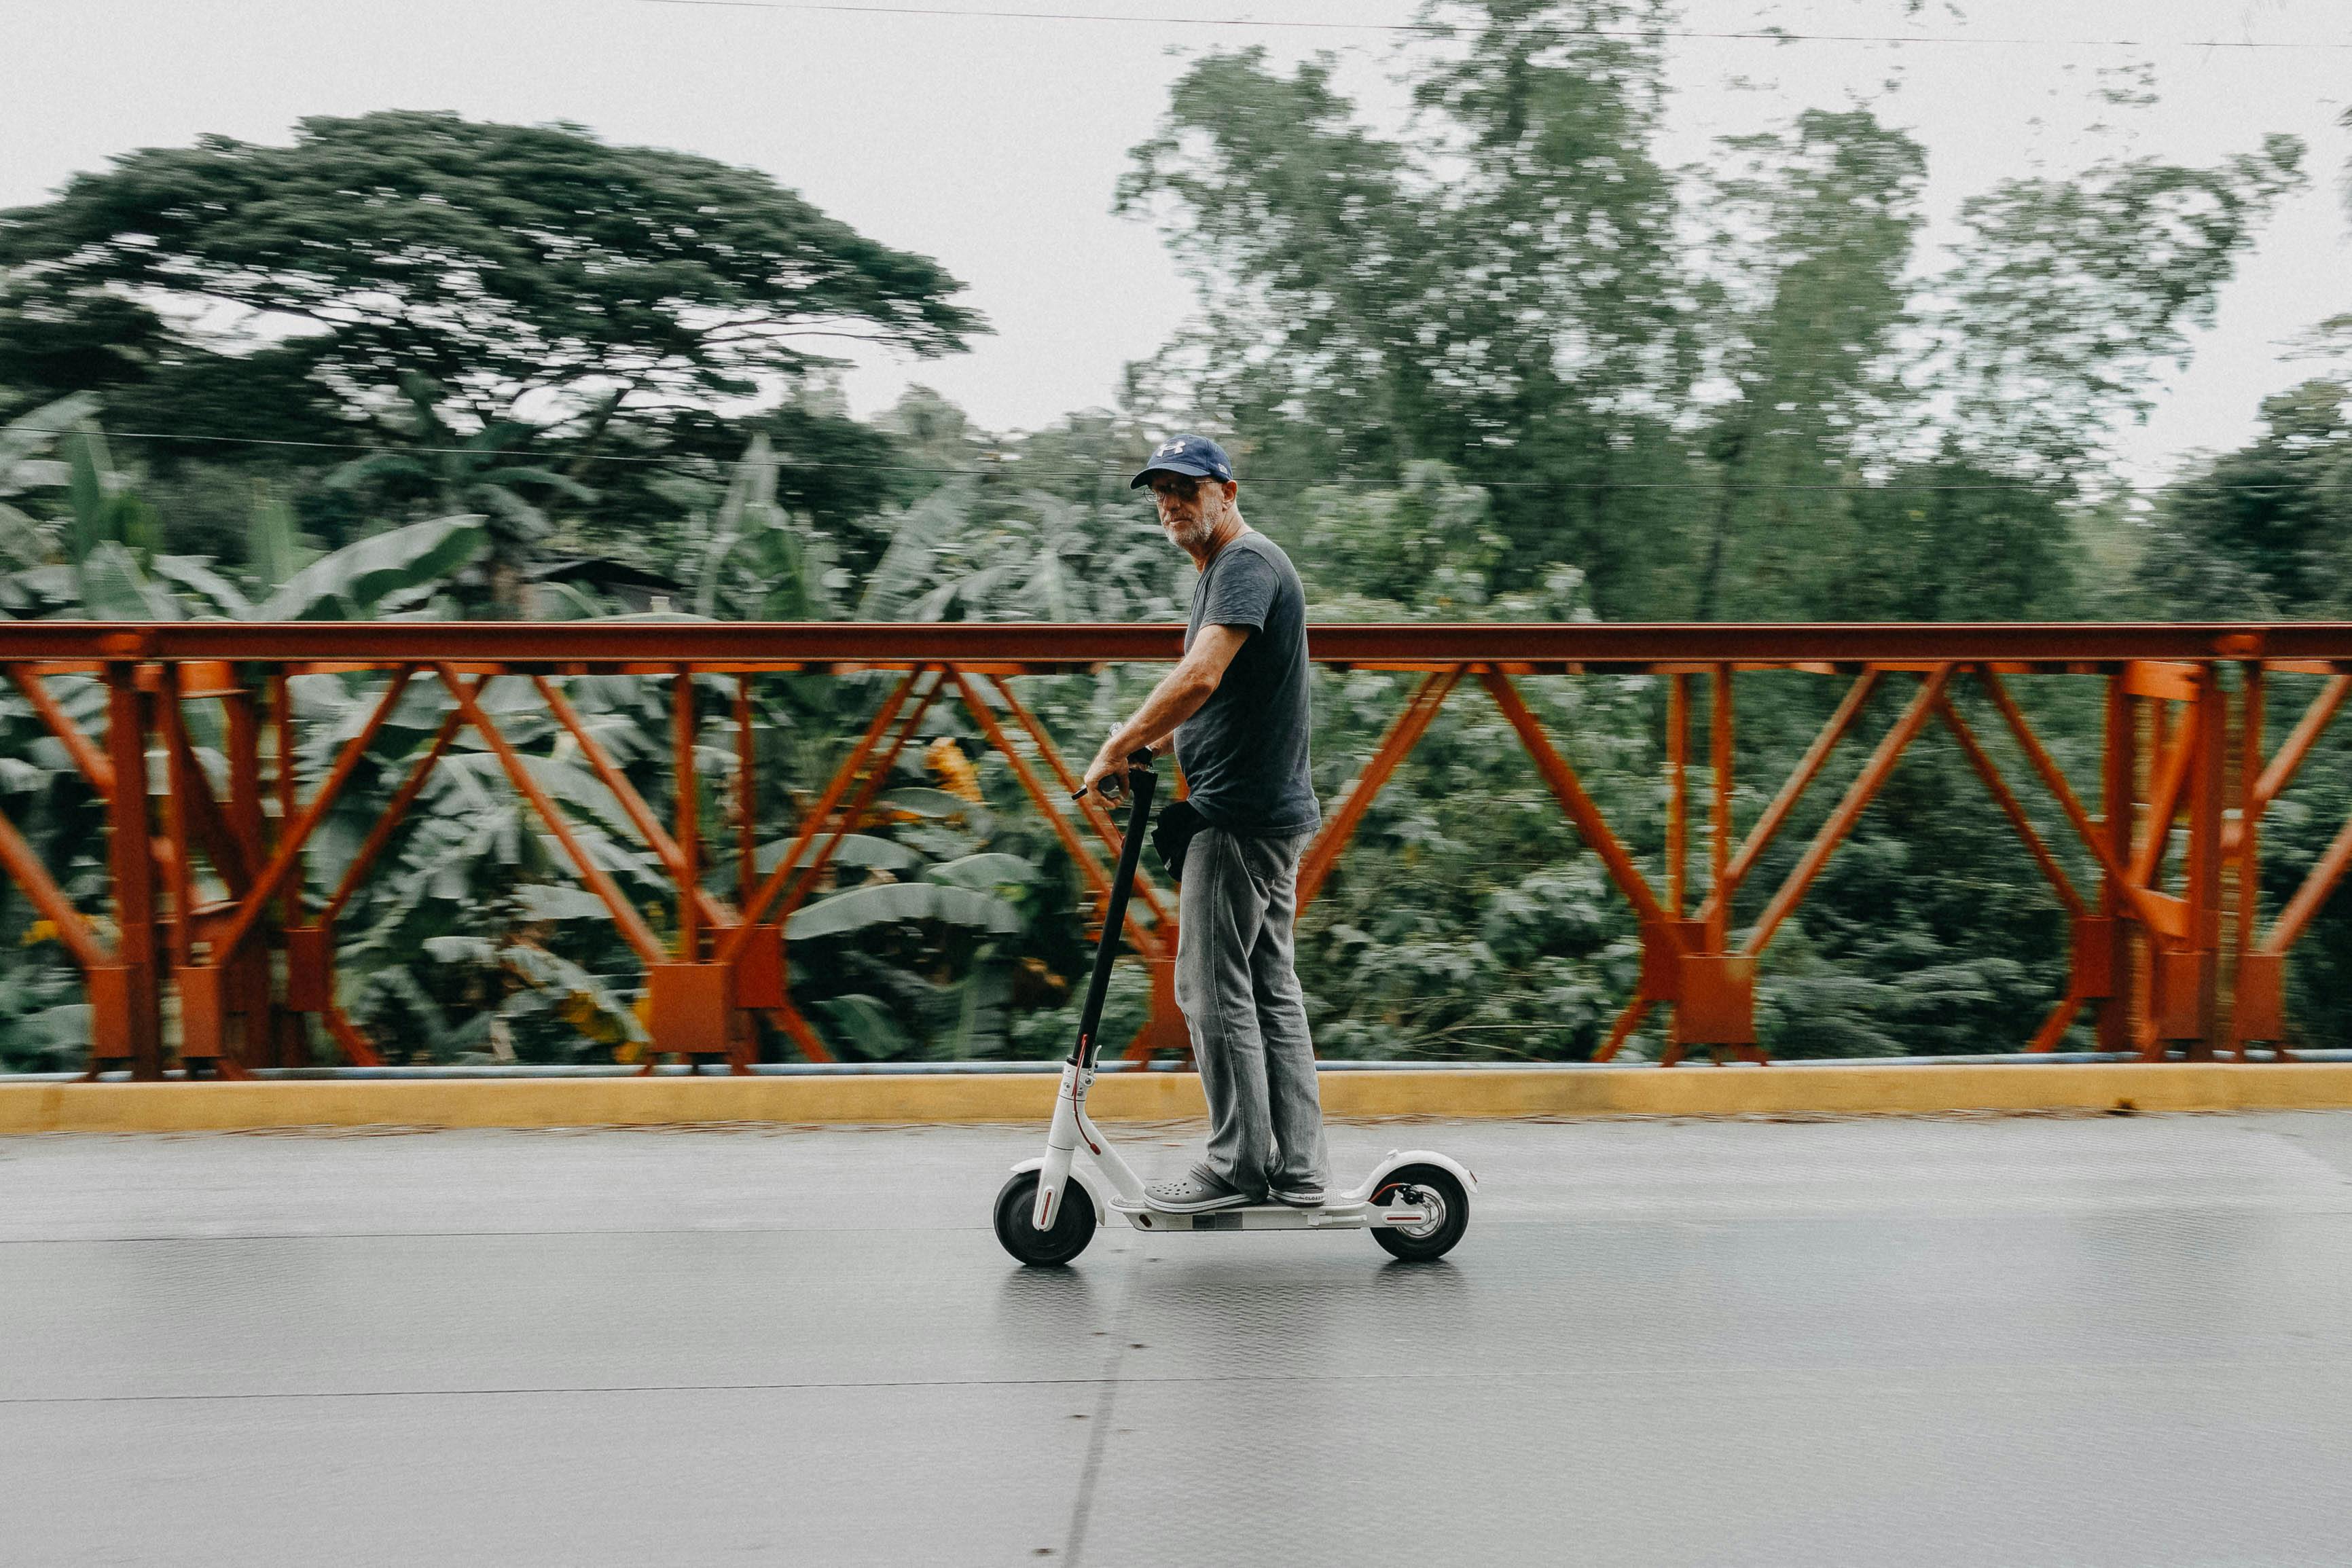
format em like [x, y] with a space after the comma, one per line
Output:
[1812, 1343]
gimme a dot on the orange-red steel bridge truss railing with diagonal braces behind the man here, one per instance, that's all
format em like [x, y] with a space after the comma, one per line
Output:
[2165, 960]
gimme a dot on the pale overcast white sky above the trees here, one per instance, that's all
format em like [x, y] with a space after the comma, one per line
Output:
[996, 142]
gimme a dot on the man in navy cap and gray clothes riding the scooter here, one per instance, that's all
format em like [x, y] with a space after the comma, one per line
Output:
[1238, 713]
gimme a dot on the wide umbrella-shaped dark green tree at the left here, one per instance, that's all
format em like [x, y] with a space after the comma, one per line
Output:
[521, 269]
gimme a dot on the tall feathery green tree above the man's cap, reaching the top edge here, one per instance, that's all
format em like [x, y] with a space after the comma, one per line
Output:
[1497, 293]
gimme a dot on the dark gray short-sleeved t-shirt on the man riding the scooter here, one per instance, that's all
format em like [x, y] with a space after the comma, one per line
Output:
[1245, 753]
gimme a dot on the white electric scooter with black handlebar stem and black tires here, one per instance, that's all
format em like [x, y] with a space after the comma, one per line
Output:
[1415, 1202]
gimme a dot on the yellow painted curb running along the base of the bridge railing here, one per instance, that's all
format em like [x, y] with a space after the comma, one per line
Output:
[1161, 1097]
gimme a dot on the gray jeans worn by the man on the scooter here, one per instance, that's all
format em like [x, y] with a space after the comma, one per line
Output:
[1248, 1017]
